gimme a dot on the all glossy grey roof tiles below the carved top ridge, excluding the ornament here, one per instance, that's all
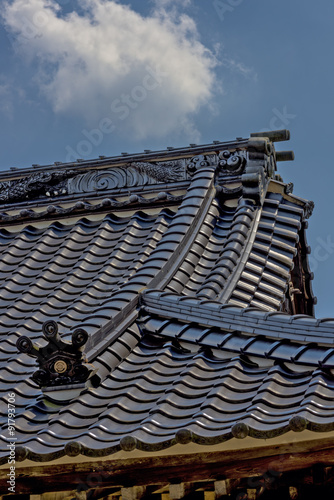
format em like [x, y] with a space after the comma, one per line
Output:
[187, 363]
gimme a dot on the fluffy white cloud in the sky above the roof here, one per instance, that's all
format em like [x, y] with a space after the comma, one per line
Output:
[150, 75]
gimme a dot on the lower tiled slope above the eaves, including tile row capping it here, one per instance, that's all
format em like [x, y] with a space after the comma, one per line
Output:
[185, 382]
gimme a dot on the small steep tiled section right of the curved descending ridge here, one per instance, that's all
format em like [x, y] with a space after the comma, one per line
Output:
[245, 256]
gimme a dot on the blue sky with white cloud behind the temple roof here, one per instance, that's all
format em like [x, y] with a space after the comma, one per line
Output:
[99, 77]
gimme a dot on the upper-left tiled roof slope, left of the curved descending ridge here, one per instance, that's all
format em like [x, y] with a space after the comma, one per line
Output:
[68, 272]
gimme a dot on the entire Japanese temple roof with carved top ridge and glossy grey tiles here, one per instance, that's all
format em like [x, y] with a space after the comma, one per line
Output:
[188, 270]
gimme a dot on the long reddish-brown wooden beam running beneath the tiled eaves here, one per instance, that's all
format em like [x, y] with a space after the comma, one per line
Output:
[187, 468]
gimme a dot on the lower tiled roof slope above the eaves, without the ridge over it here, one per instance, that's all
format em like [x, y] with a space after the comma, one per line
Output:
[171, 389]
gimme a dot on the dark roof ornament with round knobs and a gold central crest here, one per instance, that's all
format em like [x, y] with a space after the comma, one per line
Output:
[60, 363]
